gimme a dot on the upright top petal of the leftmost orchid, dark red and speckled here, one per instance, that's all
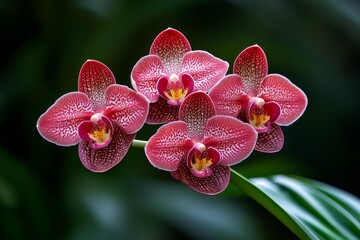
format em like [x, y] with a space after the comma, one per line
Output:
[94, 78]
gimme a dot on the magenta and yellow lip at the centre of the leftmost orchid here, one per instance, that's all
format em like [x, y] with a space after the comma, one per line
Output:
[97, 131]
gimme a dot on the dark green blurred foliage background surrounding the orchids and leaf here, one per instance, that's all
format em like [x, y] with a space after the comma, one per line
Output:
[45, 192]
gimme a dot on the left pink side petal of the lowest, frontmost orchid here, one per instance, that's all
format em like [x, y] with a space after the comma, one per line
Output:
[168, 146]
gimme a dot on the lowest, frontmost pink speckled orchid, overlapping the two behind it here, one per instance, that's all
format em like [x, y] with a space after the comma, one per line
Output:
[199, 148]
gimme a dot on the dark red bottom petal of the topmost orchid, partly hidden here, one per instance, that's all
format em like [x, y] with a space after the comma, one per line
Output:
[161, 112]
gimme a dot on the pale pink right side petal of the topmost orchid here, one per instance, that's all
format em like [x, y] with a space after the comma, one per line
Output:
[205, 69]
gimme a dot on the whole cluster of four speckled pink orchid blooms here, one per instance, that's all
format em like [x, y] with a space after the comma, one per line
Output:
[211, 120]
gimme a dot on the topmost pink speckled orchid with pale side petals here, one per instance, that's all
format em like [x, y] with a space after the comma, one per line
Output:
[171, 72]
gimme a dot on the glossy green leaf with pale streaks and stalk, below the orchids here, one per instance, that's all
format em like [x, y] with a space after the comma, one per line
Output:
[312, 210]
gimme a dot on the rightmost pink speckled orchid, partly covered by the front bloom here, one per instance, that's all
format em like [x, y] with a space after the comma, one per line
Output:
[266, 101]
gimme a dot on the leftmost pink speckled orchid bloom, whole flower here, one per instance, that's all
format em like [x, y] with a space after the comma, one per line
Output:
[103, 117]
